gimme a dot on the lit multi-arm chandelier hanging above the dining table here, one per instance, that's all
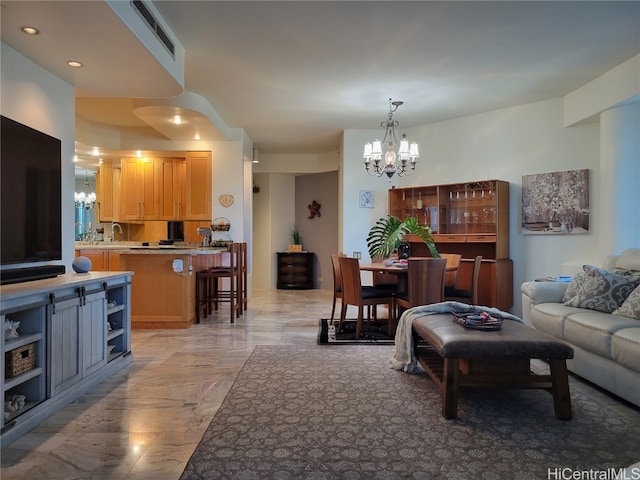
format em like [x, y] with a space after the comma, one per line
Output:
[389, 162]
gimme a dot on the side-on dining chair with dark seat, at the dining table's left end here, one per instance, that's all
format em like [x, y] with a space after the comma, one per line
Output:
[354, 293]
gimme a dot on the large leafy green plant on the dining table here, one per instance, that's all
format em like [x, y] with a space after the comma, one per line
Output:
[387, 234]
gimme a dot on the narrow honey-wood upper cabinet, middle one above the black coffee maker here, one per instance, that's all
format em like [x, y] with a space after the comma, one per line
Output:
[172, 195]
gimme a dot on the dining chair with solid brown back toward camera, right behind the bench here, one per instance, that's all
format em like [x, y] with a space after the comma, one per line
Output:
[425, 283]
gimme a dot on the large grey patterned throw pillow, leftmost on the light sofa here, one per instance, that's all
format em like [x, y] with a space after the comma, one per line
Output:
[600, 289]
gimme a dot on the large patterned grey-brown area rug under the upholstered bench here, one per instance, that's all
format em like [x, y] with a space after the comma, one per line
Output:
[311, 412]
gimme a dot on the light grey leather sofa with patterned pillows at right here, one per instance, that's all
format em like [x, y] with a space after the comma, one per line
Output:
[598, 314]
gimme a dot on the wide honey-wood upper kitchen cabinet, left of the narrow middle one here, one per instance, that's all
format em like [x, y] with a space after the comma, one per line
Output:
[140, 186]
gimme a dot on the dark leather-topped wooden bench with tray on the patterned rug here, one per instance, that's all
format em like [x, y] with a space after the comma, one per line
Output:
[460, 357]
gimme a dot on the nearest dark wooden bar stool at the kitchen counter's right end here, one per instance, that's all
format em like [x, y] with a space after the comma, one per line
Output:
[209, 290]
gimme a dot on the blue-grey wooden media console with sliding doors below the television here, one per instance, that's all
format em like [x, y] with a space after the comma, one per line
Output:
[73, 333]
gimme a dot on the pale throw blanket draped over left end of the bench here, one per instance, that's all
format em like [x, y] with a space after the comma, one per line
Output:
[404, 356]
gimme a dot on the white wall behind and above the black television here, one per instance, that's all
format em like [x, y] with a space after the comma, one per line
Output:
[34, 97]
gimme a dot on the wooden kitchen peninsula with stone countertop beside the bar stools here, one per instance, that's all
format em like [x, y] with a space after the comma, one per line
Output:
[163, 287]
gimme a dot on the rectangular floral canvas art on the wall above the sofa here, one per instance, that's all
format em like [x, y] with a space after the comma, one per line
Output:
[556, 202]
